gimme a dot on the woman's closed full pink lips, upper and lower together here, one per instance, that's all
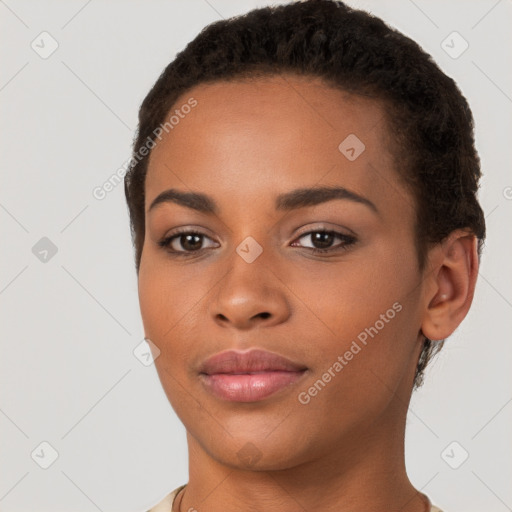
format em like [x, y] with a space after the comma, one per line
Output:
[248, 376]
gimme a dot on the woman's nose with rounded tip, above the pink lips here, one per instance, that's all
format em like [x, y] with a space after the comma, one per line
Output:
[250, 295]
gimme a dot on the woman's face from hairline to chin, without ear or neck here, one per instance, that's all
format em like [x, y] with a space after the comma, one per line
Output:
[248, 271]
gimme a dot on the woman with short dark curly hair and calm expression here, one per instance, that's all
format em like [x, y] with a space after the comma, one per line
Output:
[303, 208]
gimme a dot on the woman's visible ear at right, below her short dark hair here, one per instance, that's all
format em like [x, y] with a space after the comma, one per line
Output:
[450, 284]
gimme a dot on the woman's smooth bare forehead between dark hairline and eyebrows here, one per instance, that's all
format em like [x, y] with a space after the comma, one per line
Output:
[261, 136]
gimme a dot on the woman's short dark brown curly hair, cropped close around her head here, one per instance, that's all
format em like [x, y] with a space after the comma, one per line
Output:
[428, 120]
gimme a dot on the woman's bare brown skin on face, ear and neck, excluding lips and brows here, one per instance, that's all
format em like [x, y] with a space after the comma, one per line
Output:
[243, 144]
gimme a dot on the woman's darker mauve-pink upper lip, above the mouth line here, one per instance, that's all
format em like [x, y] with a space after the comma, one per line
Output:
[254, 360]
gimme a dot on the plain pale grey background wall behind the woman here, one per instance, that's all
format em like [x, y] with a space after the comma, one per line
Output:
[70, 324]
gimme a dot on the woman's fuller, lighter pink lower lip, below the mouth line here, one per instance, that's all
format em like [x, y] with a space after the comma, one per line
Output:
[249, 387]
